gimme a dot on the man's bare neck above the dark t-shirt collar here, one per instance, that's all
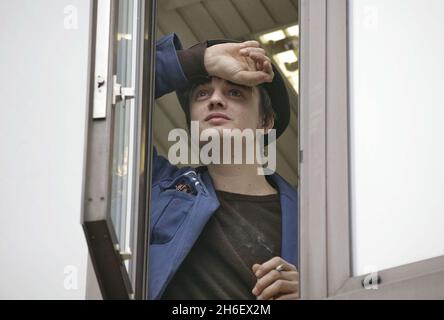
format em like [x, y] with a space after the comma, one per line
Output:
[242, 178]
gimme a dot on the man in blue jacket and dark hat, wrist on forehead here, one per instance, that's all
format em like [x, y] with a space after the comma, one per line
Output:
[222, 231]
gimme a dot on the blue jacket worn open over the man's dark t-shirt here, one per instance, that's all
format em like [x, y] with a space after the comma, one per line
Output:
[178, 218]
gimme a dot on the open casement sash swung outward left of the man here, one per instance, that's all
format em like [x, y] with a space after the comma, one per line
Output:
[117, 173]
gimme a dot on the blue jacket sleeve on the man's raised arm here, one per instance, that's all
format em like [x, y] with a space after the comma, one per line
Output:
[169, 73]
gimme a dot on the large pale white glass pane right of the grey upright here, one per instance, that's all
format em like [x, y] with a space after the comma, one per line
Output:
[397, 150]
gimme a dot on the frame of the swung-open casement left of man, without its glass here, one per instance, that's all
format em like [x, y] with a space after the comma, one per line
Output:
[114, 280]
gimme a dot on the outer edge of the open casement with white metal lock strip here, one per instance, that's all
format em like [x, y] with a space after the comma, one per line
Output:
[96, 220]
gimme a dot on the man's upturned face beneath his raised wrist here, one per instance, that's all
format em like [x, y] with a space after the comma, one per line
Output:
[222, 105]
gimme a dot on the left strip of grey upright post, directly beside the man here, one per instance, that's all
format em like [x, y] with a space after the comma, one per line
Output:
[313, 273]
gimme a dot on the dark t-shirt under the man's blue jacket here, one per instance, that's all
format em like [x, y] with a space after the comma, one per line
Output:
[244, 230]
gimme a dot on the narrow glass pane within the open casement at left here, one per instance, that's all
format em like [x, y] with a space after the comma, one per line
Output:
[121, 204]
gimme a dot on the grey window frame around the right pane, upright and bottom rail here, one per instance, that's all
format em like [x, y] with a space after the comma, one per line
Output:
[326, 270]
